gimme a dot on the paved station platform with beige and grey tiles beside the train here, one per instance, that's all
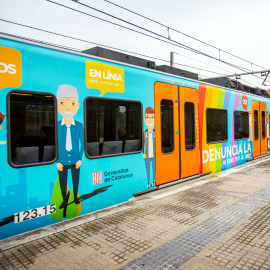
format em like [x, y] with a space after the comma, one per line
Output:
[220, 222]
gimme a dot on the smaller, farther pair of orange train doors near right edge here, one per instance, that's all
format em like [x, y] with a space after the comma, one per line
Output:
[259, 128]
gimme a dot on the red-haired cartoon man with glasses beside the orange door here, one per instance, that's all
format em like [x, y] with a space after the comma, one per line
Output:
[149, 144]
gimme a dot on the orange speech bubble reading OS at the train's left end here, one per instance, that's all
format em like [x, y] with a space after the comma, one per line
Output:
[10, 68]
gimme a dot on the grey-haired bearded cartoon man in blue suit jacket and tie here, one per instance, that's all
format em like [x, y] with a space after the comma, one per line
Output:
[70, 140]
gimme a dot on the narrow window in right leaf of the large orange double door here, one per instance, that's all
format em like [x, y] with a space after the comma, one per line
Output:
[189, 125]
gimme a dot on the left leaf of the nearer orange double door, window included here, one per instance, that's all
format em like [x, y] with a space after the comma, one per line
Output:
[167, 133]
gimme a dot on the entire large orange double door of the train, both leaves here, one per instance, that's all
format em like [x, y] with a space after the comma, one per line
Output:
[177, 132]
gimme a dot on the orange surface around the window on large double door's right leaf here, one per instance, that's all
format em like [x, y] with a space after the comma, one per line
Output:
[190, 159]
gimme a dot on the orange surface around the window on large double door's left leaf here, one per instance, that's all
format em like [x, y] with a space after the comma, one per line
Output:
[167, 165]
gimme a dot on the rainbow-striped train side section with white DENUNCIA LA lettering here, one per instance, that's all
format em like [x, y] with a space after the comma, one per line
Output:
[220, 156]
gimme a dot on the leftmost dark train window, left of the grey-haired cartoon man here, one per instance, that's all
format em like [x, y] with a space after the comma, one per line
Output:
[32, 128]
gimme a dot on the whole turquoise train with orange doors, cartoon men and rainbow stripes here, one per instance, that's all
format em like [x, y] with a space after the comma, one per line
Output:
[83, 131]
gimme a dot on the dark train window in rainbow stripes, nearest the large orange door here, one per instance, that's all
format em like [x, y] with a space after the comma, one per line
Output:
[217, 127]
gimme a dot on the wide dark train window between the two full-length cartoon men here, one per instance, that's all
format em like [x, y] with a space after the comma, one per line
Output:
[113, 127]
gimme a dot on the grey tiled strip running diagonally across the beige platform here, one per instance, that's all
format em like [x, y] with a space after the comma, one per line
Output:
[175, 252]
